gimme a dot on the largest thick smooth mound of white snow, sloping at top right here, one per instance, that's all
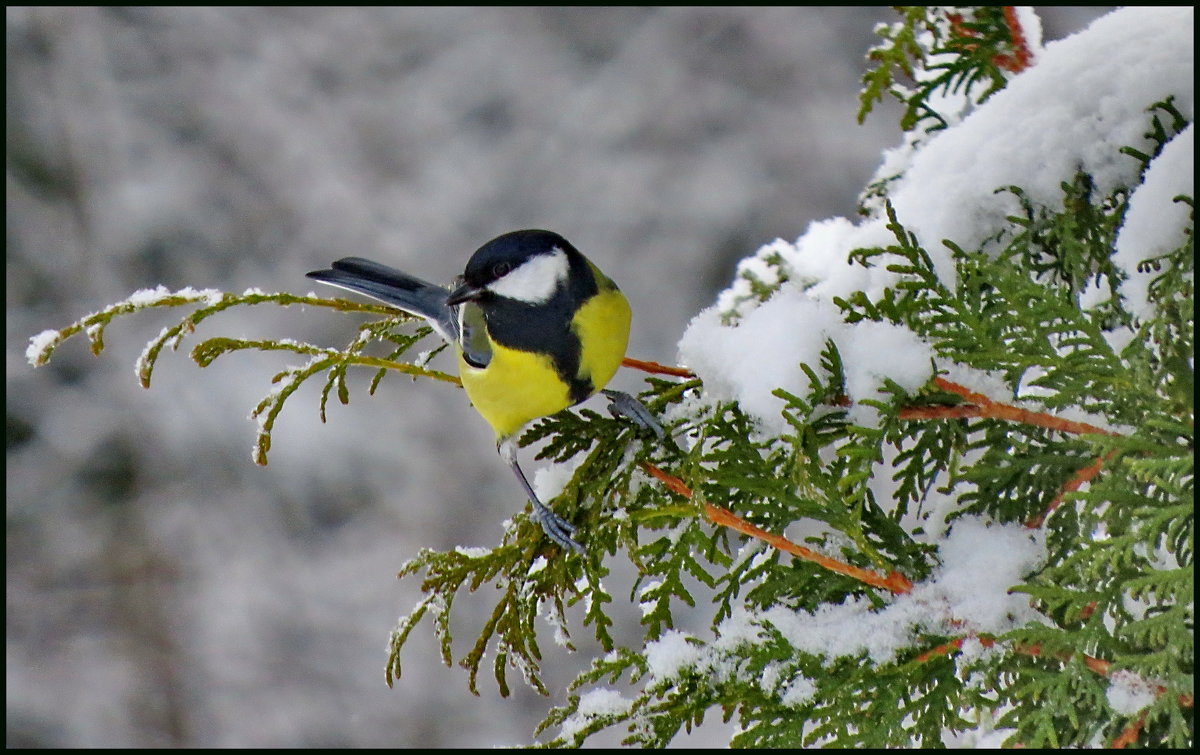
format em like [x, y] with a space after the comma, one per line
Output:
[1087, 98]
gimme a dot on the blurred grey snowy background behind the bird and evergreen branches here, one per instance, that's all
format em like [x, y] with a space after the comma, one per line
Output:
[163, 591]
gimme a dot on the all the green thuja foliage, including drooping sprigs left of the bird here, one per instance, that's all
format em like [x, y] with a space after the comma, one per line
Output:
[1113, 600]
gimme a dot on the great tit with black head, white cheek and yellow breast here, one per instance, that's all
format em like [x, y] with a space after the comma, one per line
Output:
[537, 328]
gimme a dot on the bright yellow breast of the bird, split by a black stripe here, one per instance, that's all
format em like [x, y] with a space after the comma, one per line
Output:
[518, 387]
